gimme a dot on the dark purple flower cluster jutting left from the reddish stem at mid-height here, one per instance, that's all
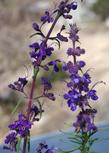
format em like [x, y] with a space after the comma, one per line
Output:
[19, 85]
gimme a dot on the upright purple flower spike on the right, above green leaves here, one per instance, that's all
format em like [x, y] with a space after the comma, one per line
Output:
[79, 92]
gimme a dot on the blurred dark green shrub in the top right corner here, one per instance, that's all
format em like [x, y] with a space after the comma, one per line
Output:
[101, 8]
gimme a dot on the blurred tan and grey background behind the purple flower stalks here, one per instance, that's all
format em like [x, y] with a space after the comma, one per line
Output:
[16, 17]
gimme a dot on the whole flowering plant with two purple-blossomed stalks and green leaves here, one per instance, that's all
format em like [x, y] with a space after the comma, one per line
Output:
[80, 91]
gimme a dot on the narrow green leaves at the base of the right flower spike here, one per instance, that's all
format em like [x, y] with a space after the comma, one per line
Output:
[82, 141]
